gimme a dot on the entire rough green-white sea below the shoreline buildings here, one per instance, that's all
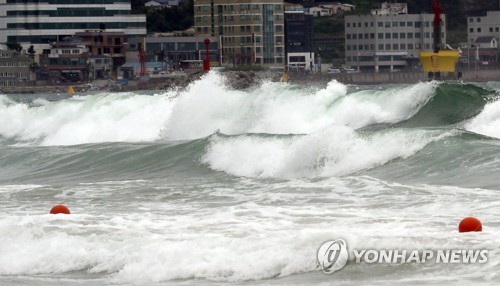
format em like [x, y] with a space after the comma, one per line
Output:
[209, 185]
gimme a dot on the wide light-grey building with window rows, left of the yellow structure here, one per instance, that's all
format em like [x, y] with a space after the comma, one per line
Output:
[389, 38]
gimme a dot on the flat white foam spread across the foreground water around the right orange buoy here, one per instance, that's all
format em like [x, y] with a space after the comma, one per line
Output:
[263, 233]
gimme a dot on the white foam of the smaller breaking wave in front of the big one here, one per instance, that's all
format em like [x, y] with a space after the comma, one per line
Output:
[337, 150]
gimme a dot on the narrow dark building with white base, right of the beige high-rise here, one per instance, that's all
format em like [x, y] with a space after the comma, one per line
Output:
[299, 40]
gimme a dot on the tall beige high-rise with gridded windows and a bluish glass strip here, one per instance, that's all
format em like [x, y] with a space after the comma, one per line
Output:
[250, 32]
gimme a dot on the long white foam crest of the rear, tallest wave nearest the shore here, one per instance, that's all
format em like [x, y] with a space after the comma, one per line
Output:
[205, 107]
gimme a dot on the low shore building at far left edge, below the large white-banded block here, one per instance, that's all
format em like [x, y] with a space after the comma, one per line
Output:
[15, 68]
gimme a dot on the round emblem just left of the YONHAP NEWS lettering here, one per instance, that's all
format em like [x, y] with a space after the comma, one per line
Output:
[332, 255]
